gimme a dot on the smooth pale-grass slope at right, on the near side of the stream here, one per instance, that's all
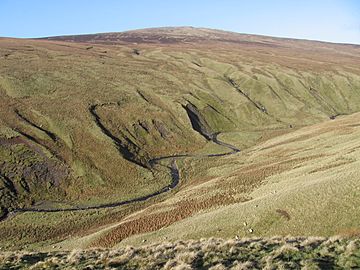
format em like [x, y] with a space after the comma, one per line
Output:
[302, 183]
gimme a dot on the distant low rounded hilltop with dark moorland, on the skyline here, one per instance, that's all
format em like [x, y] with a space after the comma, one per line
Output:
[171, 35]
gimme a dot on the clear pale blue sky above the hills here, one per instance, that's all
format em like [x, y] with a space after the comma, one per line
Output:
[328, 20]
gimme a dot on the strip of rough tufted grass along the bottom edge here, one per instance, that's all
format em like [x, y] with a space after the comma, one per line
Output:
[255, 253]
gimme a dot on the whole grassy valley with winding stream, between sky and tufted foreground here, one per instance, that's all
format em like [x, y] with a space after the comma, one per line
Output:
[126, 139]
